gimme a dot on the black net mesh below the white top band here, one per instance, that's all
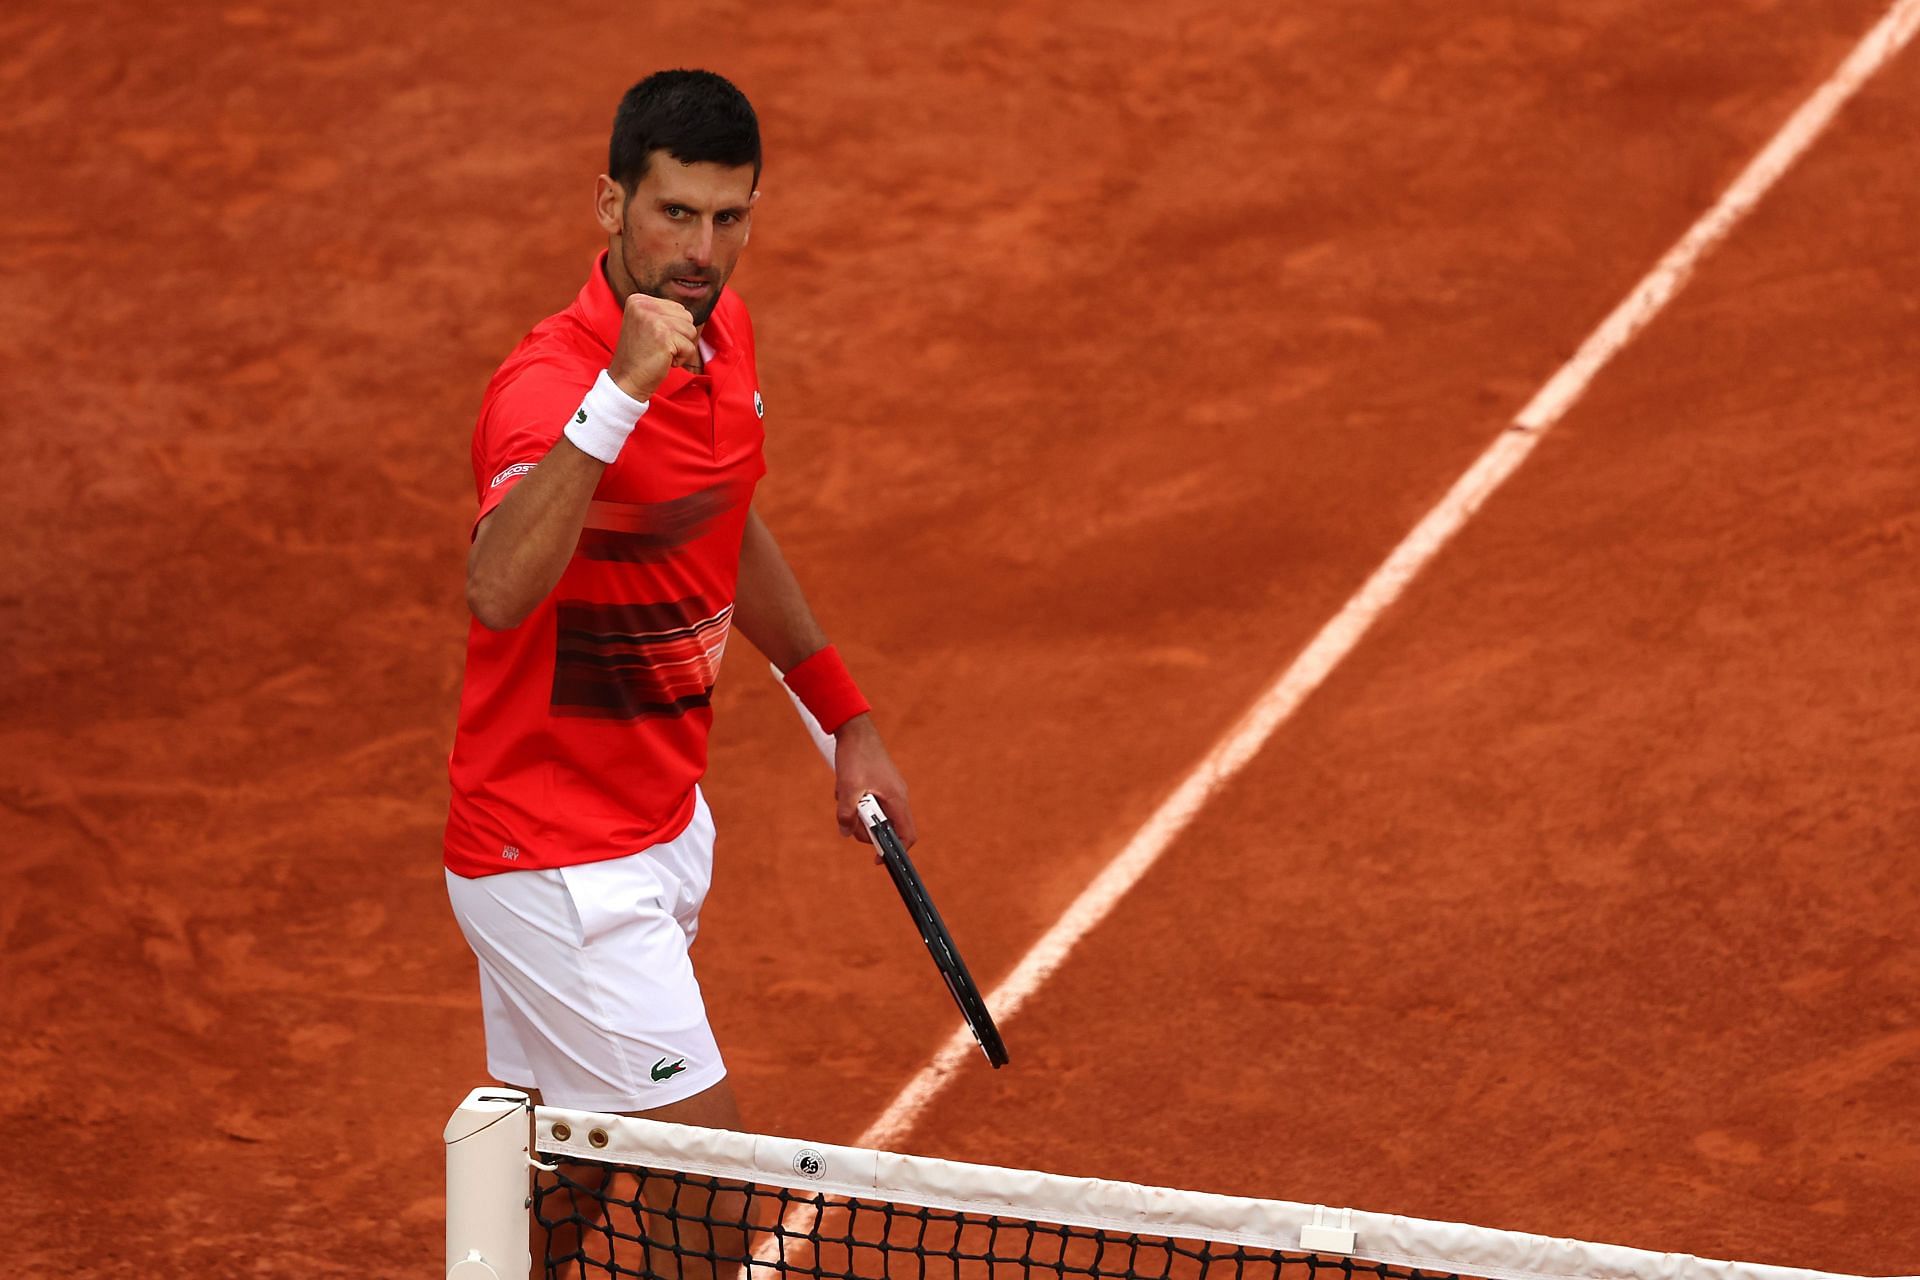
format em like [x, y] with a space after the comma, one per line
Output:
[619, 1221]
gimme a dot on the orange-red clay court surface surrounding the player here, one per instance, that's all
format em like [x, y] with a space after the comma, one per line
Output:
[1107, 350]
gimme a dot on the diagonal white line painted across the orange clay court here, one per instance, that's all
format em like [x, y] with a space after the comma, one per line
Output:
[1406, 561]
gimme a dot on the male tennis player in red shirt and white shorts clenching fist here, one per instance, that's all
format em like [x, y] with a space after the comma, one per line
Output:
[613, 552]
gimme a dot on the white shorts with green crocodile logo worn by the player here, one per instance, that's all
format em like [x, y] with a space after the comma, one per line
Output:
[587, 984]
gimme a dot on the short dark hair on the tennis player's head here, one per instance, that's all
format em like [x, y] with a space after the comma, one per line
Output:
[692, 116]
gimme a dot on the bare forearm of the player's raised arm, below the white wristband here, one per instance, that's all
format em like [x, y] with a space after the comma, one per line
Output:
[523, 546]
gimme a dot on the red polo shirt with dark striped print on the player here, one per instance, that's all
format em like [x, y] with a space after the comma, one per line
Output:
[585, 730]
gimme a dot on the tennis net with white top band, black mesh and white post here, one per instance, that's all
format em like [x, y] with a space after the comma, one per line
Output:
[665, 1202]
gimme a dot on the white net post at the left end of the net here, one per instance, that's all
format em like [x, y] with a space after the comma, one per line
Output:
[489, 1193]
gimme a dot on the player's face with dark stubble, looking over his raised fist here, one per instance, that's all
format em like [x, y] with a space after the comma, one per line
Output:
[679, 231]
